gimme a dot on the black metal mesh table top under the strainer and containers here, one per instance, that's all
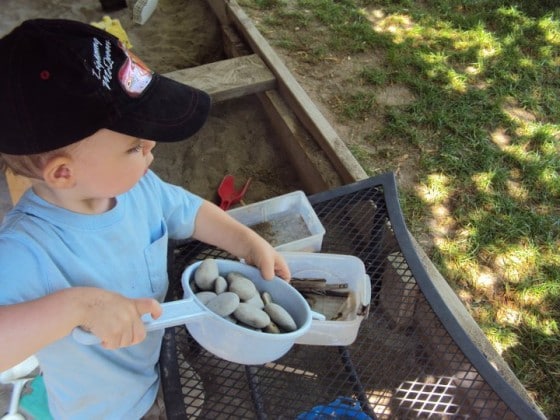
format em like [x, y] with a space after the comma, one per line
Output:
[412, 358]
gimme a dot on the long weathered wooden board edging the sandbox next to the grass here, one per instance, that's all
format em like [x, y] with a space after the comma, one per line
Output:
[345, 163]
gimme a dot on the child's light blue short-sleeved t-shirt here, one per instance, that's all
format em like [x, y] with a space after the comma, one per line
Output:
[44, 248]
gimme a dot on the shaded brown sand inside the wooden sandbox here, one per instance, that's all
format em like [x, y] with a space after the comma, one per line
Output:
[237, 138]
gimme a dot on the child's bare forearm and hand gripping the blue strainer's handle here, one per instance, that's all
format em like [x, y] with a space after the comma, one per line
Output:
[27, 327]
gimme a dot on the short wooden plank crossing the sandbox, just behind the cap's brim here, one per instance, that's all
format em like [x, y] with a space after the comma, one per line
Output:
[228, 79]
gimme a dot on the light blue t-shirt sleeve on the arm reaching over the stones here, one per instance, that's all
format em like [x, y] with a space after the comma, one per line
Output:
[179, 206]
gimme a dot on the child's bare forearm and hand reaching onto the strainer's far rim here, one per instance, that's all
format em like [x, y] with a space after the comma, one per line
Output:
[214, 226]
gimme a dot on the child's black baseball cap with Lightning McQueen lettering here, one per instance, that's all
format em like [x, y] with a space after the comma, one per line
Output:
[62, 80]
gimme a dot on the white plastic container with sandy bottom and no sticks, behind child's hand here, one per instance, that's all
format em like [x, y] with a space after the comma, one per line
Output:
[288, 222]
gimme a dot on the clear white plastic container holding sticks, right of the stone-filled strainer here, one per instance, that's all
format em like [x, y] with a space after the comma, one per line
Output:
[334, 268]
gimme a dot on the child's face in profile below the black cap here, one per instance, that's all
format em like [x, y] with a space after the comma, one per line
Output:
[108, 163]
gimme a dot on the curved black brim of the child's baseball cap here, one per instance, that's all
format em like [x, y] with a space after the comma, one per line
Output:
[167, 111]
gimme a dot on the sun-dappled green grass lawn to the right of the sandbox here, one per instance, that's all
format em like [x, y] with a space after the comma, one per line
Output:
[490, 110]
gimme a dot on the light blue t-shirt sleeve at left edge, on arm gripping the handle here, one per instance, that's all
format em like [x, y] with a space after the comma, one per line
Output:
[22, 275]
